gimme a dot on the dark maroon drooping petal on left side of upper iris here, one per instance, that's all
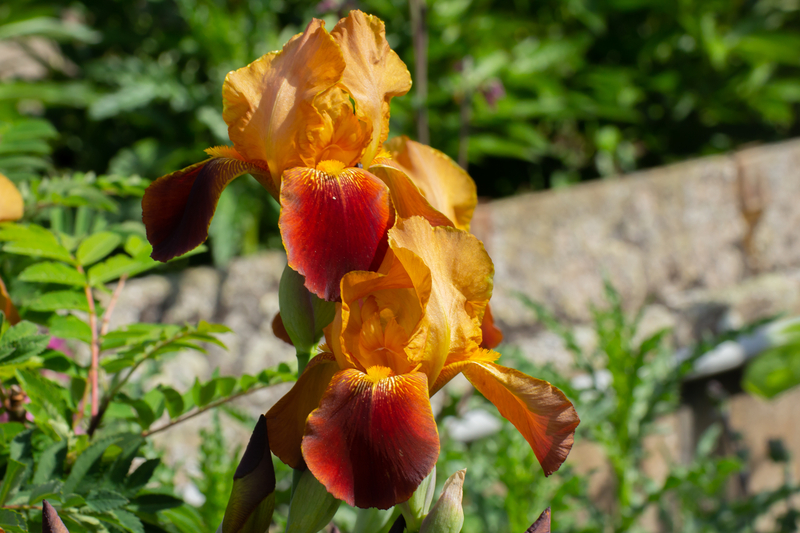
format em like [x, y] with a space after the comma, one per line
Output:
[177, 208]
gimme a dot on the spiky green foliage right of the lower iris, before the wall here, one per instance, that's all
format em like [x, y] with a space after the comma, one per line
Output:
[630, 382]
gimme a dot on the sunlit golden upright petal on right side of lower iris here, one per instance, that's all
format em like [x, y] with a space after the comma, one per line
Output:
[461, 276]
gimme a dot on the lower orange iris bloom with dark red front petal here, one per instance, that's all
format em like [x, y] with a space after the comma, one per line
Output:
[360, 417]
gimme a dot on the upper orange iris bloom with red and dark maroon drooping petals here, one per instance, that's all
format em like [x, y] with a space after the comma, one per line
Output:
[308, 122]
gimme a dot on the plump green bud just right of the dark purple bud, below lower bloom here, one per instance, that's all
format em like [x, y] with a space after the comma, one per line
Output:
[312, 506]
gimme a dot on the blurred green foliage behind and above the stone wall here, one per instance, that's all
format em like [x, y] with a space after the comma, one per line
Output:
[531, 95]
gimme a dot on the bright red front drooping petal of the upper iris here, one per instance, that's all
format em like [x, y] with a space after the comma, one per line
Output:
[333, 224]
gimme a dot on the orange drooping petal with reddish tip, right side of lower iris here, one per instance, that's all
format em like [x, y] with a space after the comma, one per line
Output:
[541, 412]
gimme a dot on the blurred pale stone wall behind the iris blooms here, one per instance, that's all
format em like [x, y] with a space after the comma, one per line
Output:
[704, 245]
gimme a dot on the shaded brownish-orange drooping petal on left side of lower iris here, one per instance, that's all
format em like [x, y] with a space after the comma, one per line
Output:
[286, 420]
